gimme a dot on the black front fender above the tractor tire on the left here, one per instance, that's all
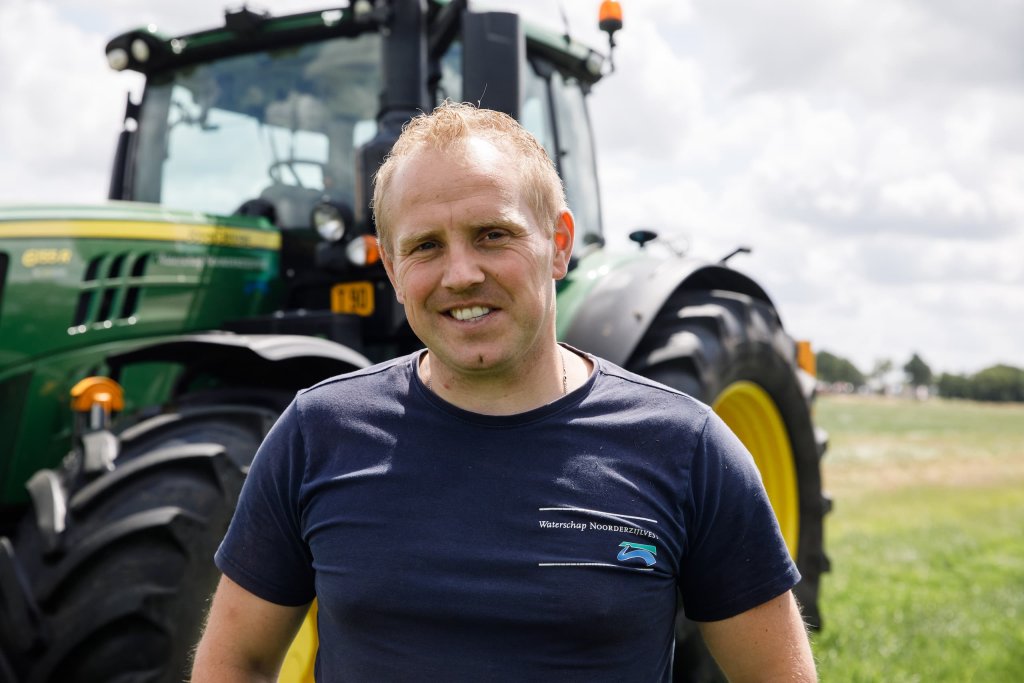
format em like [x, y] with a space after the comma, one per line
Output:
[290, 362]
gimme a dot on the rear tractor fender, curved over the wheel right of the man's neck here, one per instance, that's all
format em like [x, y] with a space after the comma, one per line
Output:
[621, 308]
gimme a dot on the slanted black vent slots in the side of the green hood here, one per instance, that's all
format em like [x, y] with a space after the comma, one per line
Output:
[110, 289]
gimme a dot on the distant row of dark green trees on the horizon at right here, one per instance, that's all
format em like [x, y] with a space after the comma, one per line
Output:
[999, 383]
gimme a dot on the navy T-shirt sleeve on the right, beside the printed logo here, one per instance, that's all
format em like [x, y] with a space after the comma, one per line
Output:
[737, 559]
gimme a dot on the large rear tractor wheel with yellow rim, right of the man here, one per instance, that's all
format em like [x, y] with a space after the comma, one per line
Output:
[732, 353]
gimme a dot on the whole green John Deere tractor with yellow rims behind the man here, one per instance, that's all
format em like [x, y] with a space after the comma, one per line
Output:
[148, 345]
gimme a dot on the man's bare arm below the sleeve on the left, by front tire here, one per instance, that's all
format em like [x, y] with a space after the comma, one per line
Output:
[246, 637]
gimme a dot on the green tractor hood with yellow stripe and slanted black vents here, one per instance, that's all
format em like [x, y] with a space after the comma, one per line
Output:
[74, 276]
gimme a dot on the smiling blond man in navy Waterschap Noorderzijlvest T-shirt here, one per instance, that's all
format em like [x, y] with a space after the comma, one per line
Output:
[498, 507]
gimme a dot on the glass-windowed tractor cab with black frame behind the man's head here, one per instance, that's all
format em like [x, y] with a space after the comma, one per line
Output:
[288, 119]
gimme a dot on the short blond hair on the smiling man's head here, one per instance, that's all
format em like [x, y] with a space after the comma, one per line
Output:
[448, 129]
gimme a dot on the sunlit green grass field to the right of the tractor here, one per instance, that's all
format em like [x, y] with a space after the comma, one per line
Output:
[927, 542]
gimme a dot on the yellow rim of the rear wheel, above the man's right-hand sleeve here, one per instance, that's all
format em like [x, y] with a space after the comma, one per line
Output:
[752, 415]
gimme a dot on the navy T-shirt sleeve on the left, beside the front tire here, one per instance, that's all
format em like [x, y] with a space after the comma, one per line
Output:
[264, 550]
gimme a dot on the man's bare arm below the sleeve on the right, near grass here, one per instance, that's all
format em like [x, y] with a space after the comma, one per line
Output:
[763, 645]
